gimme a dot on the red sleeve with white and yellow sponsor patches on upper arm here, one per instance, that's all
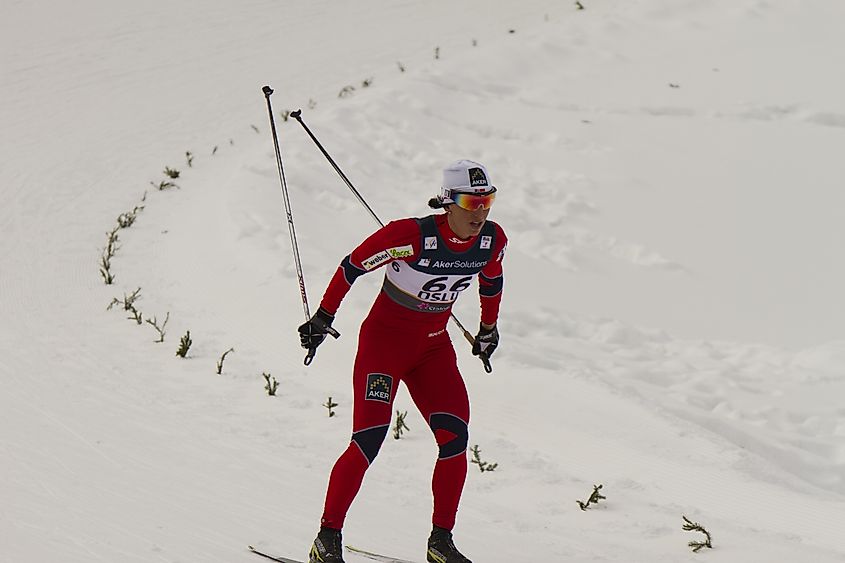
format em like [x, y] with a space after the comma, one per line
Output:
[398, 240]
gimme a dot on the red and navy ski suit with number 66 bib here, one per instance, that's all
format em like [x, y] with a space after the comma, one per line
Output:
[404, 338]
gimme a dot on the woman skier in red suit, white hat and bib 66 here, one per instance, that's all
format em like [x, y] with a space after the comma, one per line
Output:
[429, 262]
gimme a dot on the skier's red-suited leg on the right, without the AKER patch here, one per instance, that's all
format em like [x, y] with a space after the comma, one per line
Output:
[439, 392]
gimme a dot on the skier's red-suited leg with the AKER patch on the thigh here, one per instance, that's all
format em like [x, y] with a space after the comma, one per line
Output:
[374, 383]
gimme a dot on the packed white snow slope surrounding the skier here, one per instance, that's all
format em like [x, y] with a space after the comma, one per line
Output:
[670, 180]
